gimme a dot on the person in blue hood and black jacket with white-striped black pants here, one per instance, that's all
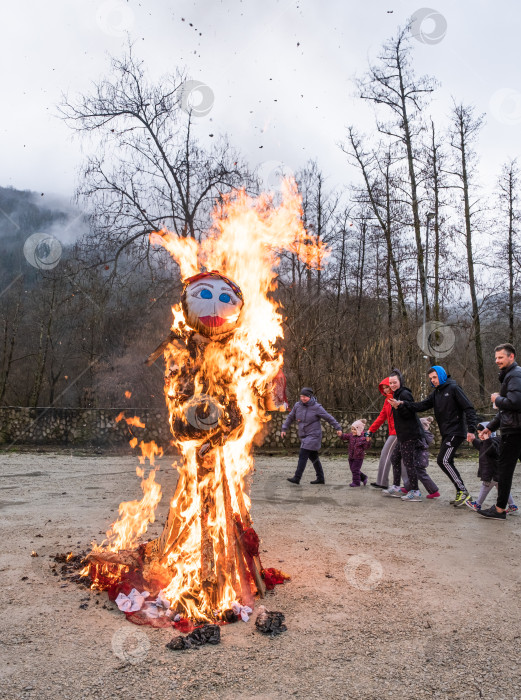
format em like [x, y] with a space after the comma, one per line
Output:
[451, 408]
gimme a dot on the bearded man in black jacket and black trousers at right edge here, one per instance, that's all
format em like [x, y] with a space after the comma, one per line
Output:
[508, 402]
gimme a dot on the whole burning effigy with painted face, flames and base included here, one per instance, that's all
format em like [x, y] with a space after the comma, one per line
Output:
[222, 361]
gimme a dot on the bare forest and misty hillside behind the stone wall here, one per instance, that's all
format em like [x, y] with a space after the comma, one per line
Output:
[75, 331]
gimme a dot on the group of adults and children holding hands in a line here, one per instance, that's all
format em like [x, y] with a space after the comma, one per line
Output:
[406, 449]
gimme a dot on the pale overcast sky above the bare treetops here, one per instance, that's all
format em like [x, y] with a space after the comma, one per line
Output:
[280, 72]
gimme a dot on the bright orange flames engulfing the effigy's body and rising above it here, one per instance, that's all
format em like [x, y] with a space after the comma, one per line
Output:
[202, 554]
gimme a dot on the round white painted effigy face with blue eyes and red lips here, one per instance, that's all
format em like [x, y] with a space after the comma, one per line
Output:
[211, 304]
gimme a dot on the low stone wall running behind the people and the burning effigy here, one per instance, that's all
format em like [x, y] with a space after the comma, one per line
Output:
[78, 426]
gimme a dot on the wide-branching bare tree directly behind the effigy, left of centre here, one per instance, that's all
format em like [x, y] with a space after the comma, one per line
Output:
[148, 170]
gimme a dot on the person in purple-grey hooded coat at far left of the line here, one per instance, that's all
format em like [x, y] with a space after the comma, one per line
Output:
[308, 413]
